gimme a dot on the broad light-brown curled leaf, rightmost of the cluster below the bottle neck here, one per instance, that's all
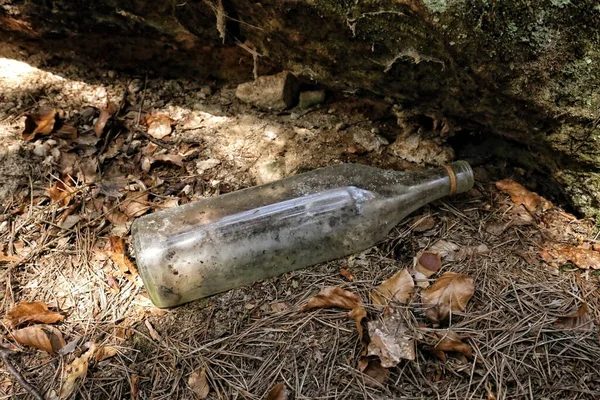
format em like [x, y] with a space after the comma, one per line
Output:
[450, 293]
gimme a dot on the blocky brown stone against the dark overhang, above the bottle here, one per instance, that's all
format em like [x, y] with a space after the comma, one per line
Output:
[270, 92]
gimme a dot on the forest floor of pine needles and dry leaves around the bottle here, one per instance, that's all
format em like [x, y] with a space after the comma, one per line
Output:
[70, 192]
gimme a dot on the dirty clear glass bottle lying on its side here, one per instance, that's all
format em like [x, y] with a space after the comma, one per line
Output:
[220, 243]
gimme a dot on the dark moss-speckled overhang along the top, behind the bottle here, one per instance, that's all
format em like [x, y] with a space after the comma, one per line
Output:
[523, 70]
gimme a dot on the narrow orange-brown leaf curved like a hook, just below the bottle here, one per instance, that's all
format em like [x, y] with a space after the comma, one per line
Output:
[334, 296]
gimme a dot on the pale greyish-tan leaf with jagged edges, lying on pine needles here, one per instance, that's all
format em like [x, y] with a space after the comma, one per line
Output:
[389, 340]
